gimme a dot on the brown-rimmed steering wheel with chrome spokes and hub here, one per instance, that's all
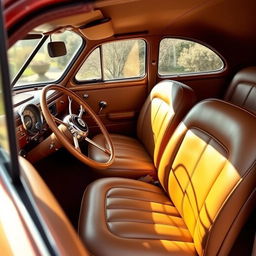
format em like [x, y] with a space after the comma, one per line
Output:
[77, 128]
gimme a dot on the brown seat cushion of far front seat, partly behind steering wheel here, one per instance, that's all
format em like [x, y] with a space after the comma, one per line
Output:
[131, 158]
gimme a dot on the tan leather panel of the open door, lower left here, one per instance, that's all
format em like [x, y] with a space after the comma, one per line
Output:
[63, 234]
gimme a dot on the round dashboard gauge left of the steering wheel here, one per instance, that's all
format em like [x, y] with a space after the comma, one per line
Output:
[32, 120]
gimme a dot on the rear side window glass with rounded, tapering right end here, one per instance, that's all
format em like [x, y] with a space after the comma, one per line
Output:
[178, 56]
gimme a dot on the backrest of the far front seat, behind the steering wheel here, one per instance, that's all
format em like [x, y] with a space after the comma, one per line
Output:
[164, 108]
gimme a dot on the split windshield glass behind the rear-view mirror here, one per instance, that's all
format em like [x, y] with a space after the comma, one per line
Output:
[42, 68]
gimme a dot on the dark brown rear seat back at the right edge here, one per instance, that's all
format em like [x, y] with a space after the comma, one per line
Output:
[242, 90]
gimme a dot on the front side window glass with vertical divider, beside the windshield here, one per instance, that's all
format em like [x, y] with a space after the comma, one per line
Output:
[114, 61]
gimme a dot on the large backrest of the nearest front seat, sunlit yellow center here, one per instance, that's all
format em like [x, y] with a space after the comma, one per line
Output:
[209, 171]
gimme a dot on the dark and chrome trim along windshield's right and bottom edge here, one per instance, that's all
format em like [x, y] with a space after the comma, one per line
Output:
[70, 64]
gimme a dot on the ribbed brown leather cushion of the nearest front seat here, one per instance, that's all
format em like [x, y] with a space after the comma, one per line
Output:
[129, 217]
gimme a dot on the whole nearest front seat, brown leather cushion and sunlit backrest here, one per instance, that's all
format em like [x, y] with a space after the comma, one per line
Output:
[208, 174]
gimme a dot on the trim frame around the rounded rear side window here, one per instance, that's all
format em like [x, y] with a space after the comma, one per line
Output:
[187, 74]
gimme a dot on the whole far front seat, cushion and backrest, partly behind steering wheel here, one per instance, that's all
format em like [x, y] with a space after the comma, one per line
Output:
[164, 108]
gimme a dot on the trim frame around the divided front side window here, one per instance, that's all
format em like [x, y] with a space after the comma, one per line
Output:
[94, 81]
